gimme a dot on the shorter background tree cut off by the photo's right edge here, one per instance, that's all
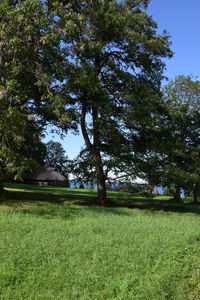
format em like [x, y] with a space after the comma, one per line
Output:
[172, 155]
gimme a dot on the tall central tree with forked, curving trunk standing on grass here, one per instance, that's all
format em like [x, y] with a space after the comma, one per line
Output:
[111, 50]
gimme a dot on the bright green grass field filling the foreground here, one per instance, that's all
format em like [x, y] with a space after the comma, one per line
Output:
[53, 248]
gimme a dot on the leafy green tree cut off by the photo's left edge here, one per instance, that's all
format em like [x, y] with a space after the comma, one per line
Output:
[29, 52]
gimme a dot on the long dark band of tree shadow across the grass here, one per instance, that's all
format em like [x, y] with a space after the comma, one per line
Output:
[51, 205]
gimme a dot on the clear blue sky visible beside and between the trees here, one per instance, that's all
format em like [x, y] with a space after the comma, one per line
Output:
[181, 18]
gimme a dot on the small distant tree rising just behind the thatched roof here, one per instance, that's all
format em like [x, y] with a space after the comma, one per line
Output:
[56, 157]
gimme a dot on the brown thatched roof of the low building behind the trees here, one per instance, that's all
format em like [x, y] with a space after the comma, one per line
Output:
[46, 173]
